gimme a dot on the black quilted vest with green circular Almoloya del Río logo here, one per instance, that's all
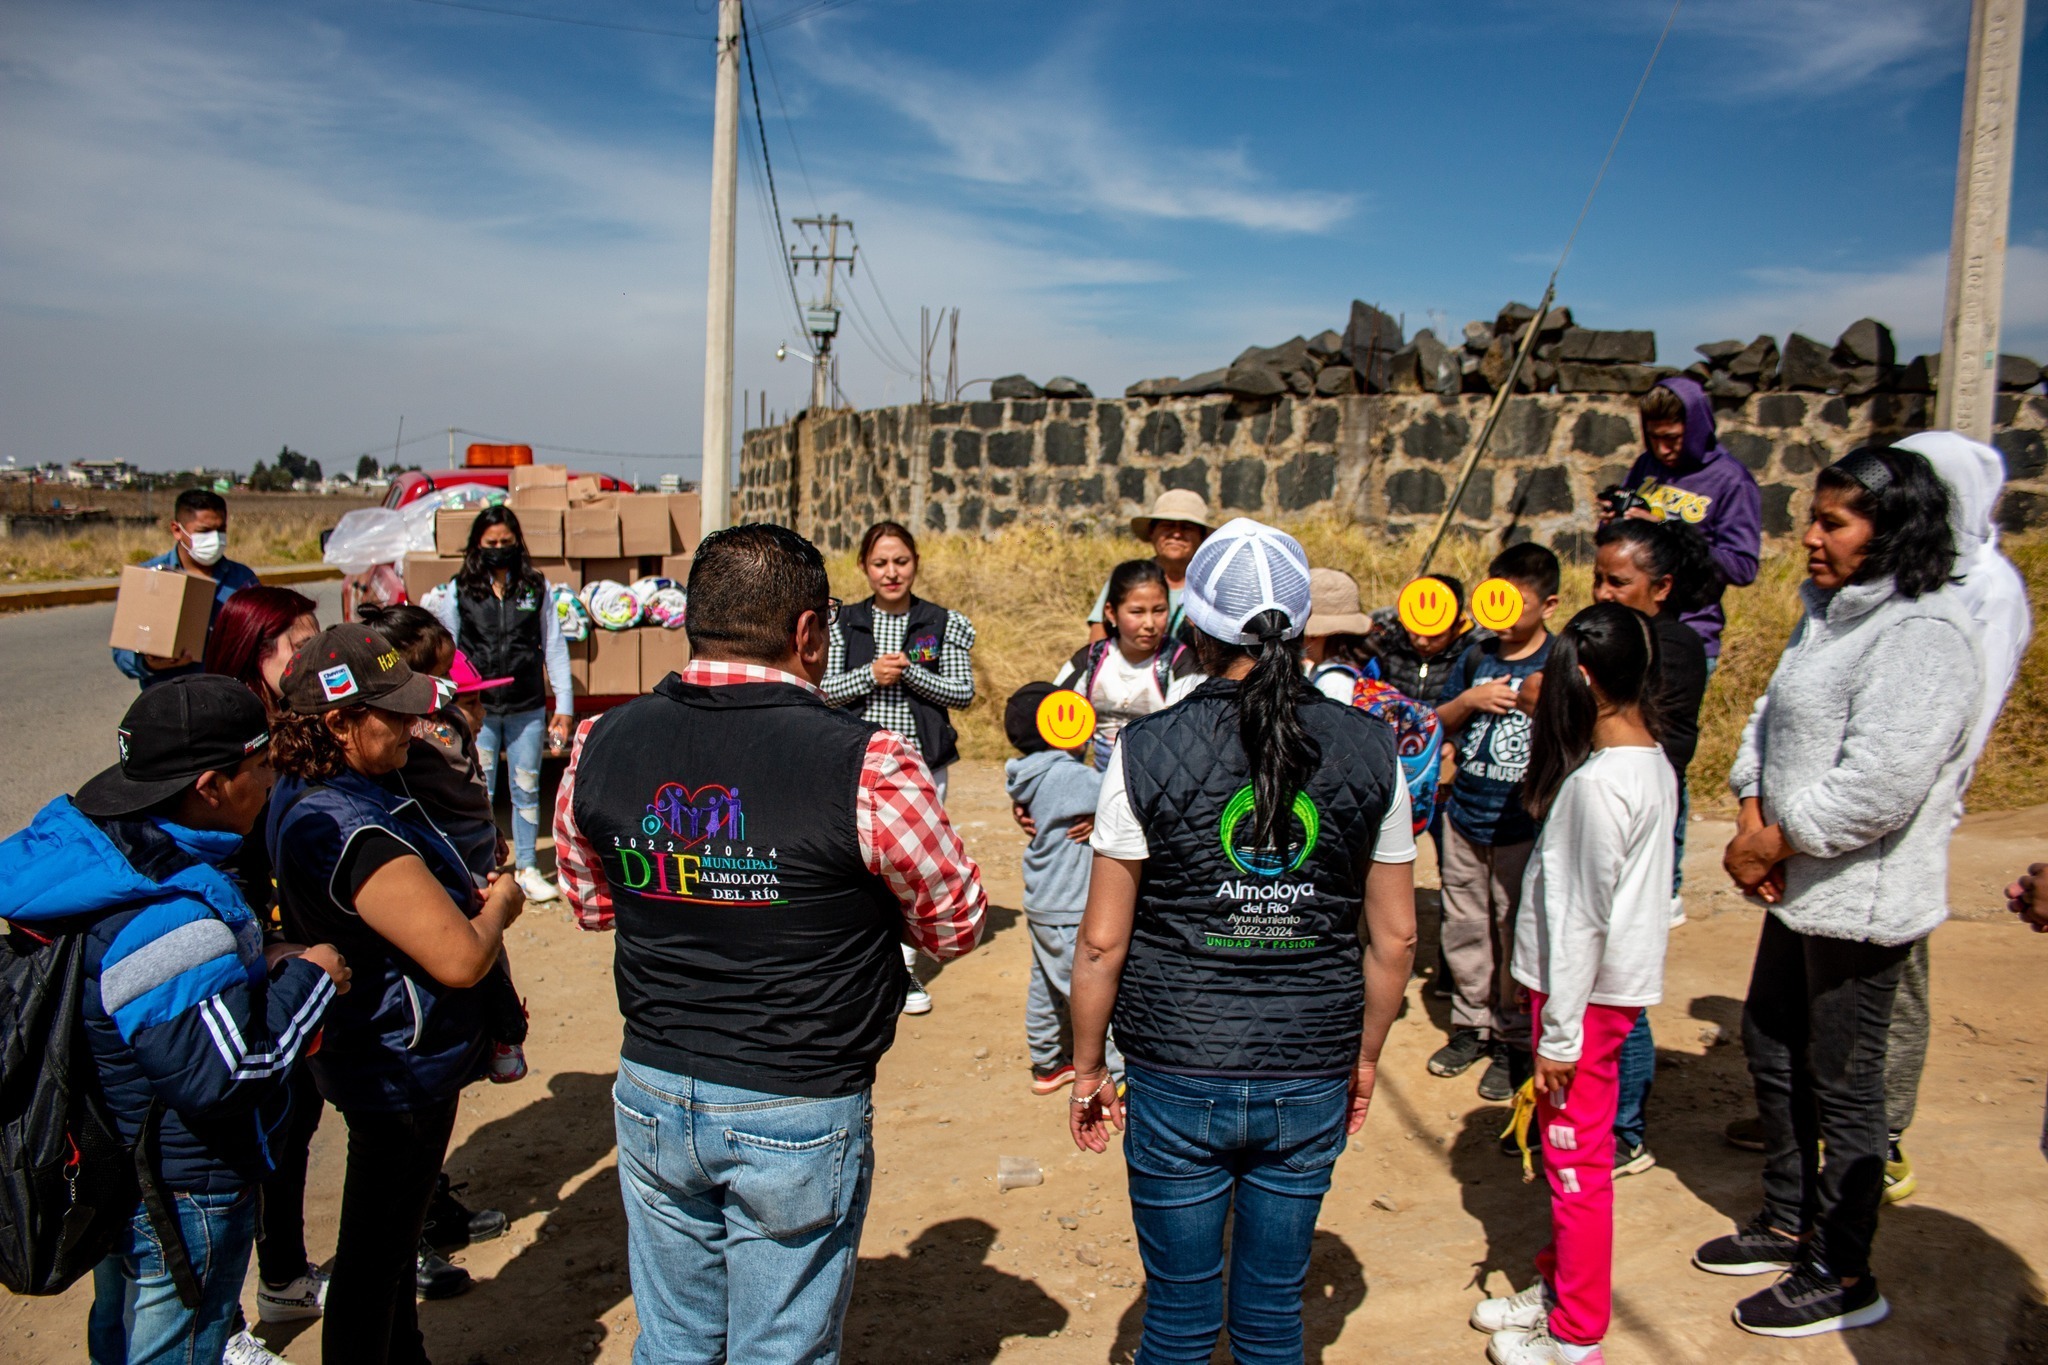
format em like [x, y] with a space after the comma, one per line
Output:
[1248, 963]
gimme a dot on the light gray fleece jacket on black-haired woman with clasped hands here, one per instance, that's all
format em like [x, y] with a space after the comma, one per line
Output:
[1861, 752]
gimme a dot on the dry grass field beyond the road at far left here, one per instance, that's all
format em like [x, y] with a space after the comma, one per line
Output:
[261, 531]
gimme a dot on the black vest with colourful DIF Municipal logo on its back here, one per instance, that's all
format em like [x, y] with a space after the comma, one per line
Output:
[755, 944]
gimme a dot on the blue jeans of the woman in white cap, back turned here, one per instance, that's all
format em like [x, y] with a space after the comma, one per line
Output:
[1258, 1153]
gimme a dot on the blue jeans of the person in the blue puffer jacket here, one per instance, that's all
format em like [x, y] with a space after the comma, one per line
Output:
[136, 1313]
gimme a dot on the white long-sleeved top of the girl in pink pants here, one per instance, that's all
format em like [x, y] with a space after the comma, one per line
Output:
[1596, 899]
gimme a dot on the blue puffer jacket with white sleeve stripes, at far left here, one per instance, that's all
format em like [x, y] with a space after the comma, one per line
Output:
[179, 1006]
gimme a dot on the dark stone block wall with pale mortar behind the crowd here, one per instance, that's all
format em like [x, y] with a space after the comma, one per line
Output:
[1383, 459]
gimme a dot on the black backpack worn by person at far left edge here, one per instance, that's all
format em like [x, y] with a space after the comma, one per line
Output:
[69, 1186]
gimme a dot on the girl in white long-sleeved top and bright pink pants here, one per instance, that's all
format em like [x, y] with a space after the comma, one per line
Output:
[1590, 940]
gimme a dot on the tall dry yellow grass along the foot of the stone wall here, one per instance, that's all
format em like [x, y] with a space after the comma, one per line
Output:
[1029, 595]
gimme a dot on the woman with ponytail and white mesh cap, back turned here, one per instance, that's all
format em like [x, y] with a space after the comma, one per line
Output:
[1238, 836]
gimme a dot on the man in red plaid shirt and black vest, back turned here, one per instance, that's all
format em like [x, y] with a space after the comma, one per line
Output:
[761, 856]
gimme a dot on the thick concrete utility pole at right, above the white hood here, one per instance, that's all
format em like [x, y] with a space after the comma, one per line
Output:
[1969, 388]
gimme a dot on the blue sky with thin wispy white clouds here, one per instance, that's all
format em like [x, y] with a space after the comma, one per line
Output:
[237, 226]
